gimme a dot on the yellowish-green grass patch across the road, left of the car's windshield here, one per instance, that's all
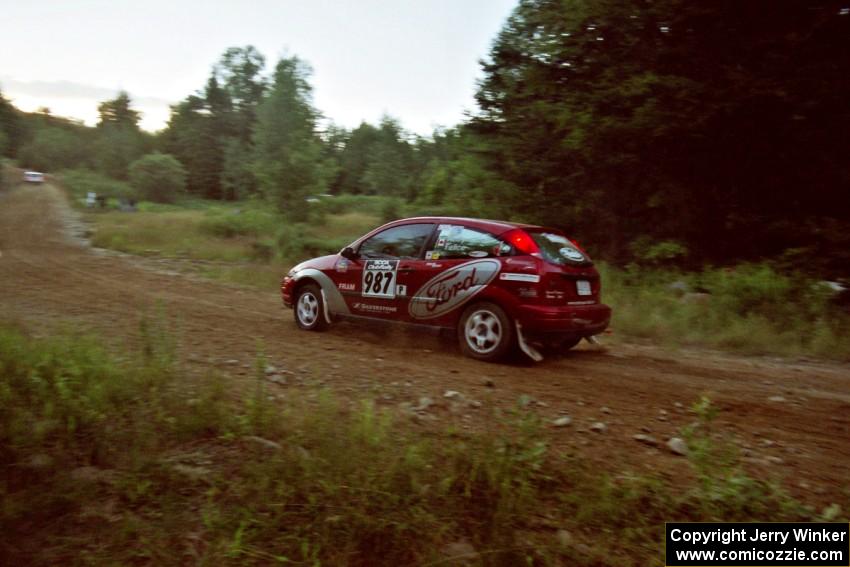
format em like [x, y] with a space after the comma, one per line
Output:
[248, 234]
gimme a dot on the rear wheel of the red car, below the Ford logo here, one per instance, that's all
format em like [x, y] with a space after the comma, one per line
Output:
[485, 332]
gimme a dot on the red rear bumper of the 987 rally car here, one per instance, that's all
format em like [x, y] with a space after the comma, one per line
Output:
[572, 320]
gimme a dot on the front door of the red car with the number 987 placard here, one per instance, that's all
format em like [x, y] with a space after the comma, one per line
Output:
[377, 283]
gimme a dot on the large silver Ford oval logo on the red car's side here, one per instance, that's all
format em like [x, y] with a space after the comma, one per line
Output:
[452, 288]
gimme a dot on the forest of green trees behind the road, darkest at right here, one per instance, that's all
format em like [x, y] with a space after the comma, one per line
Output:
[703, 131]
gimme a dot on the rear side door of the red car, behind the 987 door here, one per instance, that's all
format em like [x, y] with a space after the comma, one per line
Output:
[459, 264]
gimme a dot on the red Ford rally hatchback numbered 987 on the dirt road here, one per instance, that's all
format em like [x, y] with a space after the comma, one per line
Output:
[498, 284]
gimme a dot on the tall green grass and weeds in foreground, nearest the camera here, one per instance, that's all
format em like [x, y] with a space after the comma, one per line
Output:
[120, 458]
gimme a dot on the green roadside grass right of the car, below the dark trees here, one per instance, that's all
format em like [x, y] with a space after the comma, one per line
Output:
[752, 309]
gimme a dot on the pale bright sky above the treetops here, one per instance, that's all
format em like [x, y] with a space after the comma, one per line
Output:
[414, 60]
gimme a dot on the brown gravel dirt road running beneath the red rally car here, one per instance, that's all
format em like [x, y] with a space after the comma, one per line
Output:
[791, 419]
